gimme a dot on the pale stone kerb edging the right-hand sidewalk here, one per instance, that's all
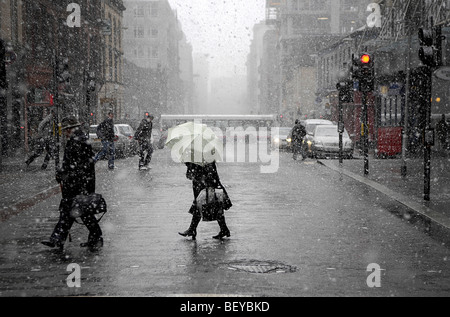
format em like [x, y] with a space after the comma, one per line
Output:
[436, 224]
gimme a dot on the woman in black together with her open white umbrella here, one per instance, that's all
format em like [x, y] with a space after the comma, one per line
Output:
[198, 147]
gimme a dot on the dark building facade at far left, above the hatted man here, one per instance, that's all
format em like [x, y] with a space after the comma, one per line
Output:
[52, 48]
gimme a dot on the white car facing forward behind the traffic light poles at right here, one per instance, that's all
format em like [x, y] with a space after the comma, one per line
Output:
[325, 142]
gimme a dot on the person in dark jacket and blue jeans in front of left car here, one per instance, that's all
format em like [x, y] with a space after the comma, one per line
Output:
[105, 132]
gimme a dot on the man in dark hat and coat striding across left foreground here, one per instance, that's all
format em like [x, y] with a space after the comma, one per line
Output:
[76, 177]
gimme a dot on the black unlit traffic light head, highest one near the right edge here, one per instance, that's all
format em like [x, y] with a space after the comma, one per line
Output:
[430, 51]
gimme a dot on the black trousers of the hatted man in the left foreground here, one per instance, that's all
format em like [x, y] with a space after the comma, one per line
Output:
[65, 222]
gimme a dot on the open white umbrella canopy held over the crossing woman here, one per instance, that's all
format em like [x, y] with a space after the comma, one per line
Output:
[194, 143]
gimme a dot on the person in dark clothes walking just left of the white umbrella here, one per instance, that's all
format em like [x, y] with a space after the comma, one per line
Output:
[144, 135]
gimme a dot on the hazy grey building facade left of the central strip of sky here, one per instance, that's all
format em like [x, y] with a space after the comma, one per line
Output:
[152, 41]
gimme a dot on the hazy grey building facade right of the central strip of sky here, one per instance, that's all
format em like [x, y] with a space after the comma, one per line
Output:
[306, 27]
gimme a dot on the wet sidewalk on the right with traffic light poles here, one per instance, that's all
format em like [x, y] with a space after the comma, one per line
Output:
[385, 177]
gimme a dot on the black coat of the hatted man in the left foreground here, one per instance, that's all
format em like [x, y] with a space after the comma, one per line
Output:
[77, 174]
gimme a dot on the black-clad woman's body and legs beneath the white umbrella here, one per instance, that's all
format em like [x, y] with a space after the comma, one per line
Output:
[203, 177]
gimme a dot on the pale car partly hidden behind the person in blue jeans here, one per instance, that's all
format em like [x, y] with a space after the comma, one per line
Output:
[124, 143]
